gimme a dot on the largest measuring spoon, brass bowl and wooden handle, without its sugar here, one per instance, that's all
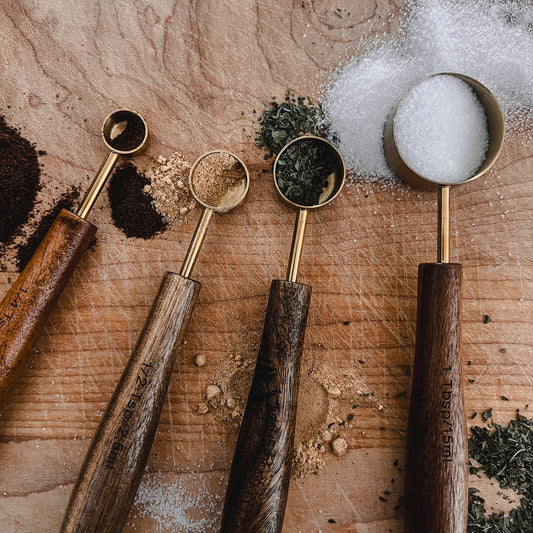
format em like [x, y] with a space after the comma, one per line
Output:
[436, 463]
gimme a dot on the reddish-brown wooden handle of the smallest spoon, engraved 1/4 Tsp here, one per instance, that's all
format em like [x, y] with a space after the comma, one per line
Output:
[25, 308]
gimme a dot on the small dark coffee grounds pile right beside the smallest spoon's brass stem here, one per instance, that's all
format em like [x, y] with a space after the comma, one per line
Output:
[131, 207]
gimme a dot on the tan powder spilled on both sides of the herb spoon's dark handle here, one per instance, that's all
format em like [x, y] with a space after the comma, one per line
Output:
[328, 402]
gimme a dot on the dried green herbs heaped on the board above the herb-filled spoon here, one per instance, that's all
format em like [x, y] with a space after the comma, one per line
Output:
[282, 123]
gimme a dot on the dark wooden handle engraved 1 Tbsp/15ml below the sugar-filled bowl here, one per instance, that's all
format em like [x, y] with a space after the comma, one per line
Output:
[436, 464]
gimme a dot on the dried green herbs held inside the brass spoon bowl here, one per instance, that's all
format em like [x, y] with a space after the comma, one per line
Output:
[303, 170]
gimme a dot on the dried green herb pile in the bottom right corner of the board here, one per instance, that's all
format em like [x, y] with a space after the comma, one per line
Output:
[505, 454]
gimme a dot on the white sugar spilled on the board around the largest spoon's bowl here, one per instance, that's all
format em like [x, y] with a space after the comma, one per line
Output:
[489, 41]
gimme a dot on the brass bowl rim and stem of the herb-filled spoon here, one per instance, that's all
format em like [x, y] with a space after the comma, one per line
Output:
[335, 184]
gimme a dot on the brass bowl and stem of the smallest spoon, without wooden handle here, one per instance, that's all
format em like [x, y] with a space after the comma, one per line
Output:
[113, 125]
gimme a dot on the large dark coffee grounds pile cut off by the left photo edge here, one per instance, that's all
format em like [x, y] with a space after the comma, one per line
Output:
[19, 181]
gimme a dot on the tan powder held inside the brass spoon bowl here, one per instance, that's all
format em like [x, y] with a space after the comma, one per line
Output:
[215, 175]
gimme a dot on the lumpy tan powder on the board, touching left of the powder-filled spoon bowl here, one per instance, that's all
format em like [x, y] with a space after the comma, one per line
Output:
[169, 188]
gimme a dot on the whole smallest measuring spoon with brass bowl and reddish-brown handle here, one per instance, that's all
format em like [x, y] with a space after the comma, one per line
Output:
[26, 306]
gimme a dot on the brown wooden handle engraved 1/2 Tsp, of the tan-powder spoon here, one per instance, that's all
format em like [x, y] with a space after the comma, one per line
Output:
[115, 462]
